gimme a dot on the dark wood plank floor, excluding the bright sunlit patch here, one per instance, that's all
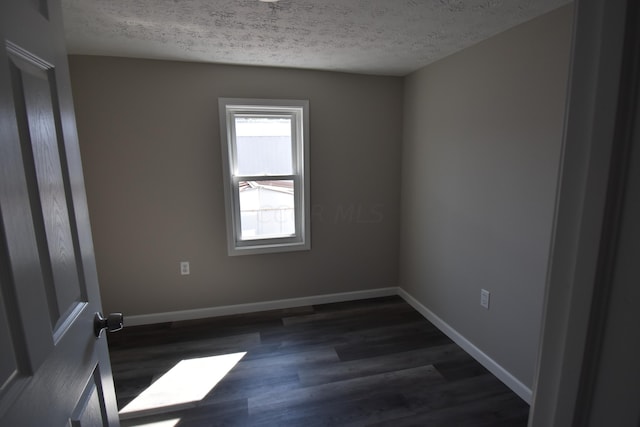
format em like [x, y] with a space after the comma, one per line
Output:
[373, 362]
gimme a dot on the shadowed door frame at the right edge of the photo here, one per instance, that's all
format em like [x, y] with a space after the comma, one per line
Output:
[601, 112]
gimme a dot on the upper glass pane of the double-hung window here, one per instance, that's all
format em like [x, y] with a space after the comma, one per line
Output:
[263, 146]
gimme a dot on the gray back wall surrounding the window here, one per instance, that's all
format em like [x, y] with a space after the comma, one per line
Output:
[150, 144]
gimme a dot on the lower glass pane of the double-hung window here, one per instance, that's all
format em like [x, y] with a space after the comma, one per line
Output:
[266, 209]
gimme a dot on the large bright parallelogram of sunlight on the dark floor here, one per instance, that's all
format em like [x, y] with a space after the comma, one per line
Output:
[189, 381]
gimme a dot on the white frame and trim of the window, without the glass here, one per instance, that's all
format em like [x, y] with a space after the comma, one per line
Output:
[298, 110]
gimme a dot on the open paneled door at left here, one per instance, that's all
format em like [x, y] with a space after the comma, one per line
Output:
[53, 369]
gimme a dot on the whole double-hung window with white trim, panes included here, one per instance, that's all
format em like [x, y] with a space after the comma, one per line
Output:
[265, 154]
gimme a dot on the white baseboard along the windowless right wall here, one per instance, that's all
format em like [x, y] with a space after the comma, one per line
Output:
[496, 369]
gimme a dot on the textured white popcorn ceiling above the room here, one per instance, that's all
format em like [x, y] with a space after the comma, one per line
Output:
[386, 37]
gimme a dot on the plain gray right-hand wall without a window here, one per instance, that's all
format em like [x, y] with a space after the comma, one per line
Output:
[481, 150]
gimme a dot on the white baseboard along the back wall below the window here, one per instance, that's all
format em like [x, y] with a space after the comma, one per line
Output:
[201, 313]
